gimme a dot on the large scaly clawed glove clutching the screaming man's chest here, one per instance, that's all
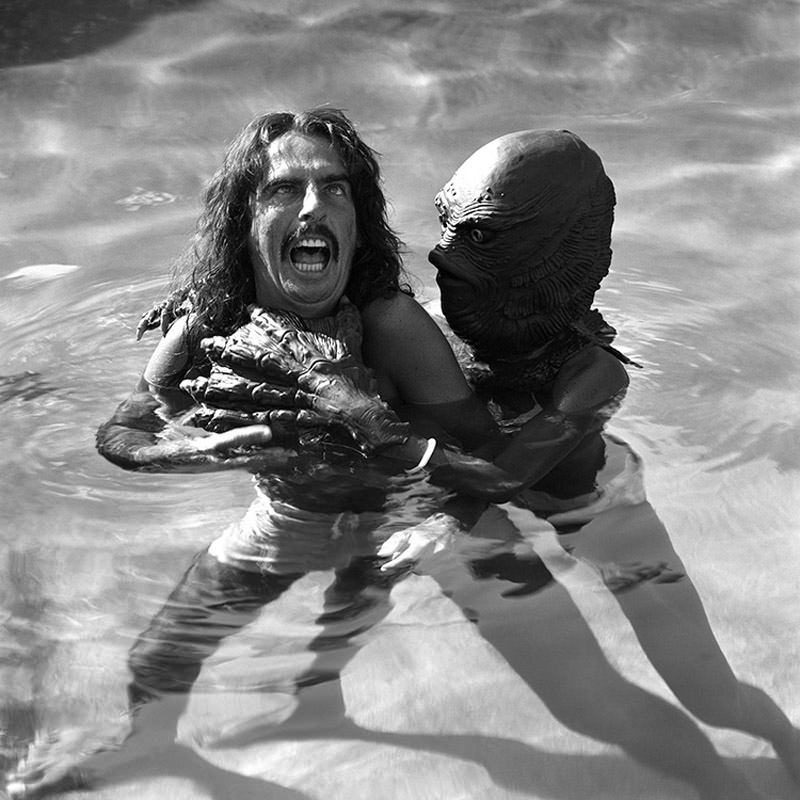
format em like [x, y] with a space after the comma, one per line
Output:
[275, 370]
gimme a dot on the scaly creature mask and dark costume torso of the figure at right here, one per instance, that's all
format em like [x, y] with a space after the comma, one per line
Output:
[526, 240]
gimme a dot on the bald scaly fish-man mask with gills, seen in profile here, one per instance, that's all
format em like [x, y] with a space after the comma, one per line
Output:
[526, 240]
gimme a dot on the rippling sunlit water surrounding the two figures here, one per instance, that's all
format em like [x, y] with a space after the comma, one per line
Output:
[113, 116]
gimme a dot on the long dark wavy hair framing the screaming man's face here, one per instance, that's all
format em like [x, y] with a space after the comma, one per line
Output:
[215, 275]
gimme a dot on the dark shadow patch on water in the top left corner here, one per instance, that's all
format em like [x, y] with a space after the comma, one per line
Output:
[36, 31]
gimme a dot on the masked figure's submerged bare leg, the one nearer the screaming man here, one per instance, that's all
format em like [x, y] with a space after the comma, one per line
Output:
[561, 660]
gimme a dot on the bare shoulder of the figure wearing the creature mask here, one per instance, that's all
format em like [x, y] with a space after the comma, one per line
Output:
[589, 380]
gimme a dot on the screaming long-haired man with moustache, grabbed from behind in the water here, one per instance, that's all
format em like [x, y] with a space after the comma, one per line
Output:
[293, 242]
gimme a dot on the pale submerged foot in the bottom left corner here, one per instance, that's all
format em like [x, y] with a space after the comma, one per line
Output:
[69, 760]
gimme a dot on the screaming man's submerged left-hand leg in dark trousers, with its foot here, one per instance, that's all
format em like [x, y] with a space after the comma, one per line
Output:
[211, 602]
